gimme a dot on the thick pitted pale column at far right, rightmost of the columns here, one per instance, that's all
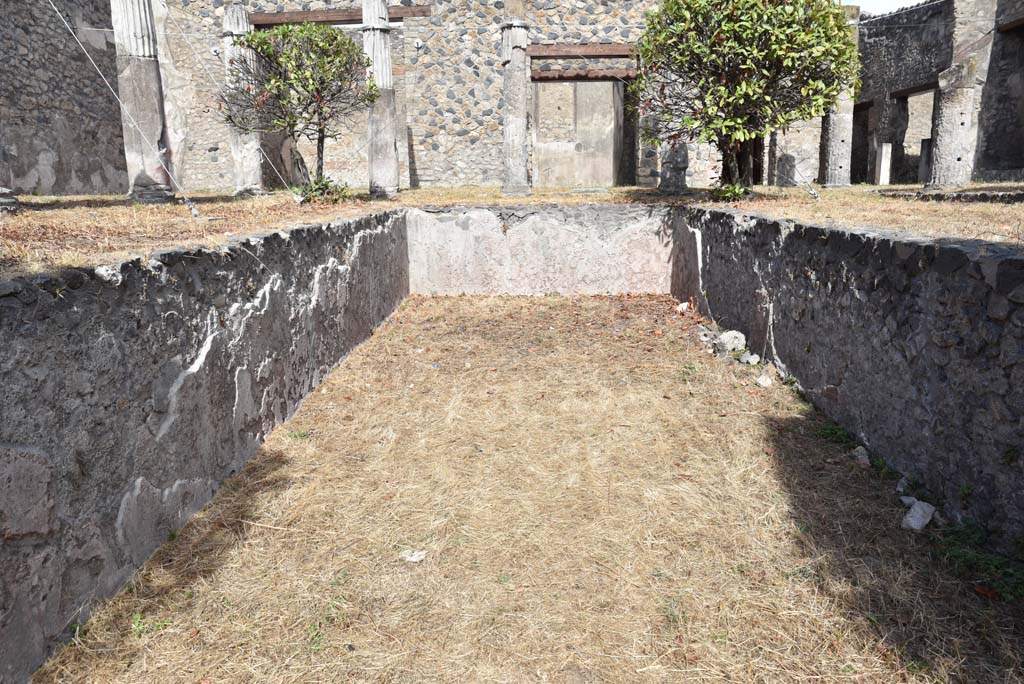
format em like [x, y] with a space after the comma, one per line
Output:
[956, 132]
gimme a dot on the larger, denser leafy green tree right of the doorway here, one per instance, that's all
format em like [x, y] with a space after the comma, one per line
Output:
[730, 72]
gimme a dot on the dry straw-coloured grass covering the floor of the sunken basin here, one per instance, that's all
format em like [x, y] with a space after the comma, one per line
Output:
[594, 499]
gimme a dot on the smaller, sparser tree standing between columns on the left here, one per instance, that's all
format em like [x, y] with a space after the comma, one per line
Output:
[303, 79]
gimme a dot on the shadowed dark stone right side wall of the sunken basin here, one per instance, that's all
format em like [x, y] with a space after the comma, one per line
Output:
[914, 346]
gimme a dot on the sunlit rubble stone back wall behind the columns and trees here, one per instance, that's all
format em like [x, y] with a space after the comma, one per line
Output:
[448, 80]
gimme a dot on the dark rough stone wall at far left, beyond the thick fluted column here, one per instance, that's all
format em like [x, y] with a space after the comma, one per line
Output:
[60, 126]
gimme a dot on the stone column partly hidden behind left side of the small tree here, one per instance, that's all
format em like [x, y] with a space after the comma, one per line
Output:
[245, 147]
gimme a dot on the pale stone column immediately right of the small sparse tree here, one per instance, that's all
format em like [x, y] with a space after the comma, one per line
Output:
[383, 134]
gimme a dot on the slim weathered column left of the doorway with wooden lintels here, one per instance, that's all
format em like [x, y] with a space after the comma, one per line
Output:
[516, 62]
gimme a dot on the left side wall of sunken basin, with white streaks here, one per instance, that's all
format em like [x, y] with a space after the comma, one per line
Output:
[130, 395]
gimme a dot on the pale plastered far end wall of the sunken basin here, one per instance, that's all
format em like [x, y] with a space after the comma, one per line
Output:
[558, 250]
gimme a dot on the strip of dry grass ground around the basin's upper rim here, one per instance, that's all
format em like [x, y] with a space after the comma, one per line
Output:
[53, 233]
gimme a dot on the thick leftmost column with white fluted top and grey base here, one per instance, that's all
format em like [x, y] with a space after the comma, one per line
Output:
[141, 91]
